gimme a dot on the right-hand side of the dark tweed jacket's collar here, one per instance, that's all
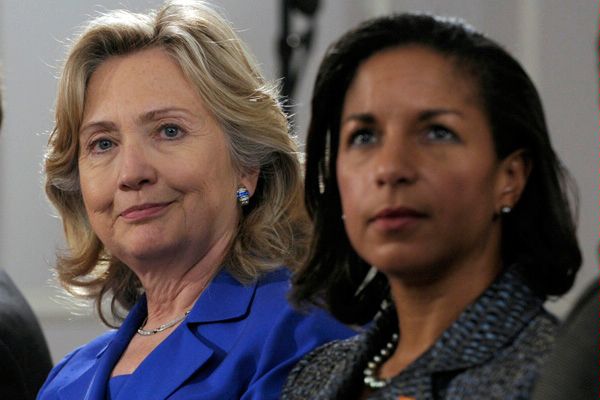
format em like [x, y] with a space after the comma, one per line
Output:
[481, 331]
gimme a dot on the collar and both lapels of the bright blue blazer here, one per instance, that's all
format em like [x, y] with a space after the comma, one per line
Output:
[224, 299]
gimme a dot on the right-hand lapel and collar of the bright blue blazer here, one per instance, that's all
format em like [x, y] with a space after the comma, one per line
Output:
[192, 344]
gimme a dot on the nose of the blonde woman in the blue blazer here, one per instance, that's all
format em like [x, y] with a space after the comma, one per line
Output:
[136, 168]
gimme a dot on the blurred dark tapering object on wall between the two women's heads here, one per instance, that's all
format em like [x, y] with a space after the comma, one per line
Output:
[295, 41]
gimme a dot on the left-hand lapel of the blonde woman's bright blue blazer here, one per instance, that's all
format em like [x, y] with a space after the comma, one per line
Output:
[91, 385]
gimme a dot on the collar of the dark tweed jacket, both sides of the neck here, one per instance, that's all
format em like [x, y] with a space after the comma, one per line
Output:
[483, 329]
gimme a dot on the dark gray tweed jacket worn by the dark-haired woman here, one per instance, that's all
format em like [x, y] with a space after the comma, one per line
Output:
[494, 350]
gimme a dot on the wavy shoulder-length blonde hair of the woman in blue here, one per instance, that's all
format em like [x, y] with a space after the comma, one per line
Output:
[272, 230]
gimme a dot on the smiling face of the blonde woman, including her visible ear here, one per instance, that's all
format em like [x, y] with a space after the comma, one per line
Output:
[156, 175]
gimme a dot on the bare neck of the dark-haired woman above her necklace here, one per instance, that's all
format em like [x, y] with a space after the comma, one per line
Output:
[426, 309]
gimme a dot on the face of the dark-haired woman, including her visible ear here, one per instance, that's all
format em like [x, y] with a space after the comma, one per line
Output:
[417, 172]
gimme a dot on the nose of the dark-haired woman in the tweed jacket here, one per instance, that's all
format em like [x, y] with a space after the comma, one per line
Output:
[396, 161]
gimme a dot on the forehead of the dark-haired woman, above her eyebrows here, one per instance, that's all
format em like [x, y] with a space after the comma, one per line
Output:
[414, 75]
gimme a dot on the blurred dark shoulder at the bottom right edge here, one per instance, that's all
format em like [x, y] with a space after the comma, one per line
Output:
[572, 371]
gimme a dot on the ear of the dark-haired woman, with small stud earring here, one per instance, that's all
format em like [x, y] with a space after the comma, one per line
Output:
[513, 173]
